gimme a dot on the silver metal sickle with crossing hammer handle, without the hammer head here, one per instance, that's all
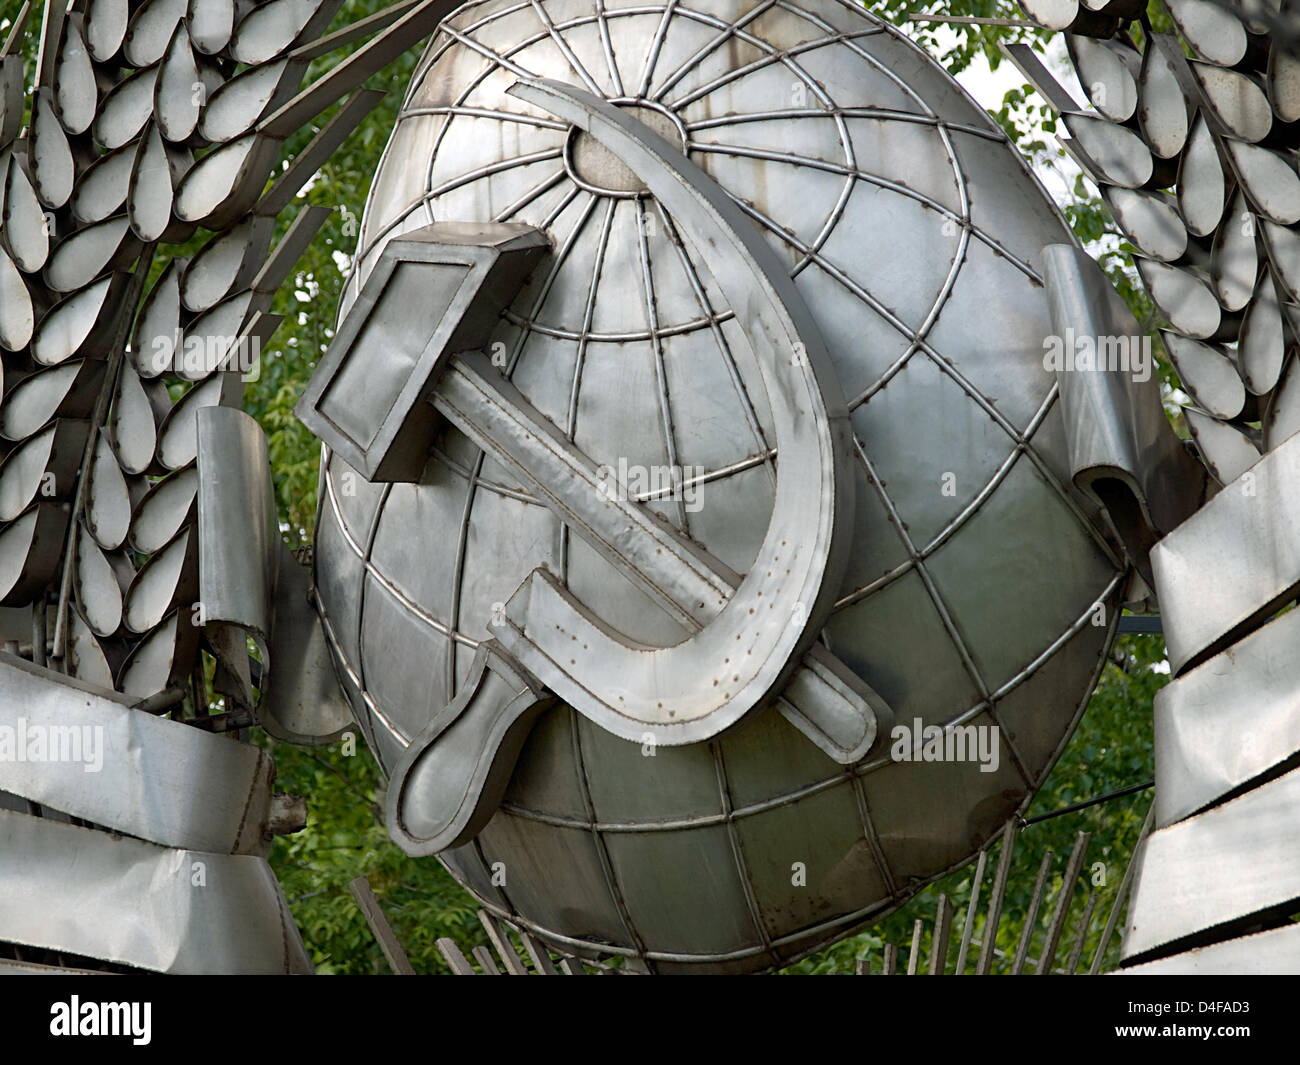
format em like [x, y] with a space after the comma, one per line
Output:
[753, 640]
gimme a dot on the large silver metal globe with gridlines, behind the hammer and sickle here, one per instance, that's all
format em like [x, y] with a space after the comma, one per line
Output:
[981, 587]
